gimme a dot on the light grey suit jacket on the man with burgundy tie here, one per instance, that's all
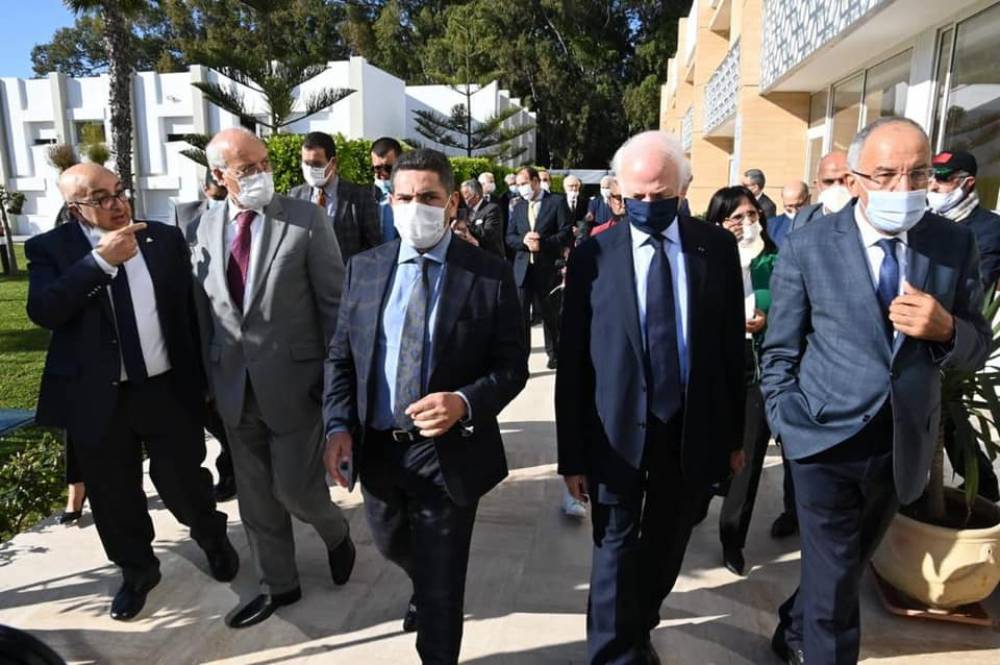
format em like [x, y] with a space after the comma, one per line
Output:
[280, 340]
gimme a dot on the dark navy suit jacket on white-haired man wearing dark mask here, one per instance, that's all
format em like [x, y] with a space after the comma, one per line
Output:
[601, 398]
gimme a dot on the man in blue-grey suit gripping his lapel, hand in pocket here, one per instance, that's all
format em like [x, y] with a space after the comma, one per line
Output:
[867, 308]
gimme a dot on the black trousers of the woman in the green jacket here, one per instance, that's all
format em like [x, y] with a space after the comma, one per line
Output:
[737, 508]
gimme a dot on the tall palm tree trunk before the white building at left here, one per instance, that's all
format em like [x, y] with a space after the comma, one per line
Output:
[116, 43]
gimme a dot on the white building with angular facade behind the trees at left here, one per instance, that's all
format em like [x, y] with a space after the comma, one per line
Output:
[37, 113]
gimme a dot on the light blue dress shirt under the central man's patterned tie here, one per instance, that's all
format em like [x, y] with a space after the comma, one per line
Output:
[390, 331]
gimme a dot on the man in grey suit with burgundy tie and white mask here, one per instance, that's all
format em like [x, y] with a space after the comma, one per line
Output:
[271, 275]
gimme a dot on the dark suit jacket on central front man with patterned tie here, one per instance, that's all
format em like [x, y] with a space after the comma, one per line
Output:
[479, 348]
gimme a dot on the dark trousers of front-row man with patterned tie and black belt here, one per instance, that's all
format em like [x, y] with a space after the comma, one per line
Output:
[417, 526]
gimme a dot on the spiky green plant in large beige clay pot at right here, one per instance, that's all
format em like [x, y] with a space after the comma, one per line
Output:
[944, 550]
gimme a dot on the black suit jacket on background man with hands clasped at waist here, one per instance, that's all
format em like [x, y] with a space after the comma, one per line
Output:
[552, 224]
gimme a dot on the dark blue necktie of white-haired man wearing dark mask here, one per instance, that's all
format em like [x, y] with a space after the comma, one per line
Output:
[661, 335]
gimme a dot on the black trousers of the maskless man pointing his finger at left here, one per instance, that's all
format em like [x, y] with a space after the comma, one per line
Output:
[148, 414]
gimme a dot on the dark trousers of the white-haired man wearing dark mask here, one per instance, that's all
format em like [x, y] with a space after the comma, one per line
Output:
[639, 543]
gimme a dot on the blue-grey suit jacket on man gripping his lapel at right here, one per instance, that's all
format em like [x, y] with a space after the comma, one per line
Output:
[828, 365]
